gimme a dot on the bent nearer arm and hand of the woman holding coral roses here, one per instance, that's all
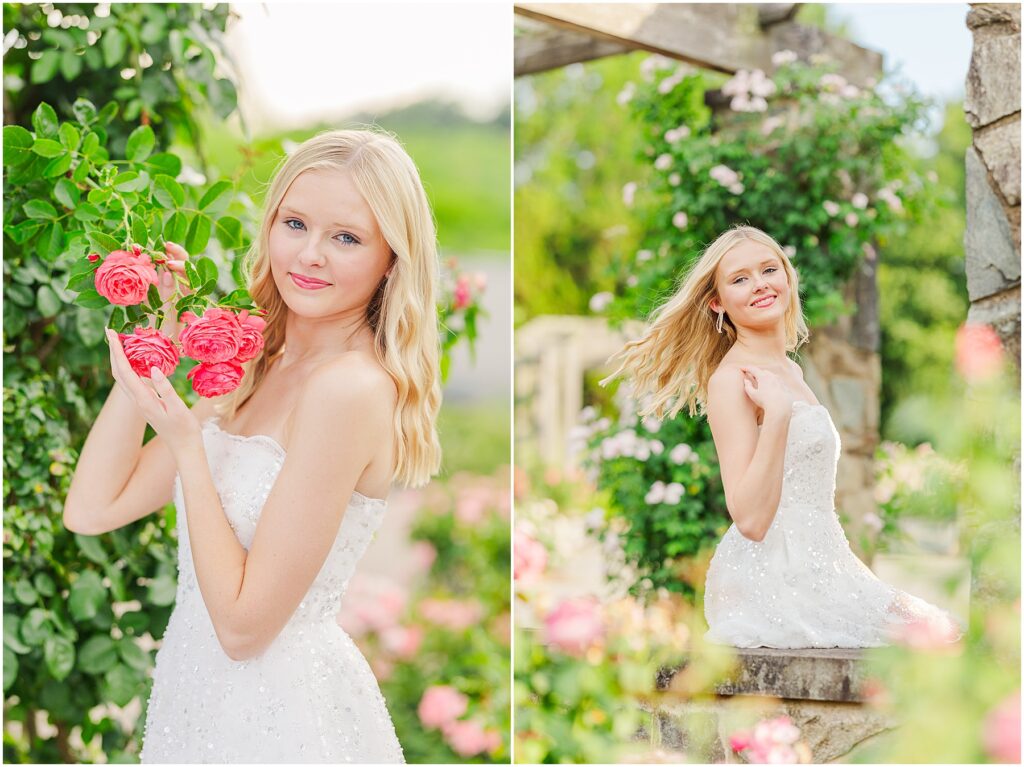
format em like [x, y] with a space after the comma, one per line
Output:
[343, 419]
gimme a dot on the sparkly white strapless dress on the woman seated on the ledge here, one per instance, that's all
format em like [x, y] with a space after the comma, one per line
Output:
[802, 586]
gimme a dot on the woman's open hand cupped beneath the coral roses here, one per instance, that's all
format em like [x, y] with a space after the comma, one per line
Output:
[157, 401]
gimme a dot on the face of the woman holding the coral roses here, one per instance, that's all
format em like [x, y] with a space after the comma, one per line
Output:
[328, 255]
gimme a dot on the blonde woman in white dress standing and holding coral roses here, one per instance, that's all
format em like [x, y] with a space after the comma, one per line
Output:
[280, 487]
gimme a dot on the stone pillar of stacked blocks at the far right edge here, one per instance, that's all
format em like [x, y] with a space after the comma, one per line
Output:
[993, 105]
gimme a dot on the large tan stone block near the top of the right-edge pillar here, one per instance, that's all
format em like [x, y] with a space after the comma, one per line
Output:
[994, 80]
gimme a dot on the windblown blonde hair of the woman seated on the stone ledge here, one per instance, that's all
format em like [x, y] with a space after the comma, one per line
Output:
[671, 364]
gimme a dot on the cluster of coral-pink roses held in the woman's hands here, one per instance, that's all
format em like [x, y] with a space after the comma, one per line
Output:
[220, 340]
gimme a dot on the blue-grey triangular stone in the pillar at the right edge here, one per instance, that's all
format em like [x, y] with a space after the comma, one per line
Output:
[993, 260]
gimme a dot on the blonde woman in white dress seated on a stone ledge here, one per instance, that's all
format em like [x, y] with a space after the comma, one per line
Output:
[784, 576]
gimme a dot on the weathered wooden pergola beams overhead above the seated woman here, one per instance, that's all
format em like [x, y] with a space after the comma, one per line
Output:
[724, 37]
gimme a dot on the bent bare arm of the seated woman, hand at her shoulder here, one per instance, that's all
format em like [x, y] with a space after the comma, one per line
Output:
[751, 462]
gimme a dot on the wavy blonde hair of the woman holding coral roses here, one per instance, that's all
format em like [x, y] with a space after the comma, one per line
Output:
[403, 314]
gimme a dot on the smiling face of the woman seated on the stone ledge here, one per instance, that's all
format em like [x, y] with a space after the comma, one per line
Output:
[748, 278]
